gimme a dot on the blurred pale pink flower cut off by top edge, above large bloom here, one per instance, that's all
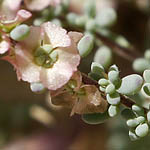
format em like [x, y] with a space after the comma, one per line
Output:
[37, 5]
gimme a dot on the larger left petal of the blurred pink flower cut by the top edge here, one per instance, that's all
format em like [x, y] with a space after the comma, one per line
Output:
[37, 5]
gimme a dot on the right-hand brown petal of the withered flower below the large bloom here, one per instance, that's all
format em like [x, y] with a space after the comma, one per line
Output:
[92, 102]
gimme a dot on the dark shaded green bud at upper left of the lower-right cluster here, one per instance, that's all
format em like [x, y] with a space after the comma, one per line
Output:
[128, 114]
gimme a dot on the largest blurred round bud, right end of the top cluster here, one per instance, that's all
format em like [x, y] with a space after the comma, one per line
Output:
[106, 17]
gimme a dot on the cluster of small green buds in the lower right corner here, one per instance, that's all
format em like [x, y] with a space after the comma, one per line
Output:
[137, 121]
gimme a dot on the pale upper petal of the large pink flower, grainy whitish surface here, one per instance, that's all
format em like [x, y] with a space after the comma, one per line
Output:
[57, 36]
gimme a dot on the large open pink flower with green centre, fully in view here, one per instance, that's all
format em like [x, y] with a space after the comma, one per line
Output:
[49, 55]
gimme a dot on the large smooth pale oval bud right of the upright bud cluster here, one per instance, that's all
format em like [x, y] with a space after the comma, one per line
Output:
[131, 84]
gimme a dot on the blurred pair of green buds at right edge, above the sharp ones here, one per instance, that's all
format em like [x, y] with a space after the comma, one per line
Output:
[141, 64]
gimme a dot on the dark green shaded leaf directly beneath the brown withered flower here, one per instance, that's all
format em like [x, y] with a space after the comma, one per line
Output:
[95, 118]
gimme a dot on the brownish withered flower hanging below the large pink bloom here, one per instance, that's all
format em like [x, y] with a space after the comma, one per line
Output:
[81, 98]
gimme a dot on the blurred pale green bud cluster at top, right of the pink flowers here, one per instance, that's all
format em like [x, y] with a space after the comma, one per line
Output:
[93, 19]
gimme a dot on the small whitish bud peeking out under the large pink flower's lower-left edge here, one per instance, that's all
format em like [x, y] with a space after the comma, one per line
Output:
[37, 87]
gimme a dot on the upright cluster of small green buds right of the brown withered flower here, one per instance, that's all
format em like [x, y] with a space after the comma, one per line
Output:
[110, 85]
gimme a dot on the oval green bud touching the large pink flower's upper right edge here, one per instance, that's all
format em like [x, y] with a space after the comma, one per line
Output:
[85, 46]
